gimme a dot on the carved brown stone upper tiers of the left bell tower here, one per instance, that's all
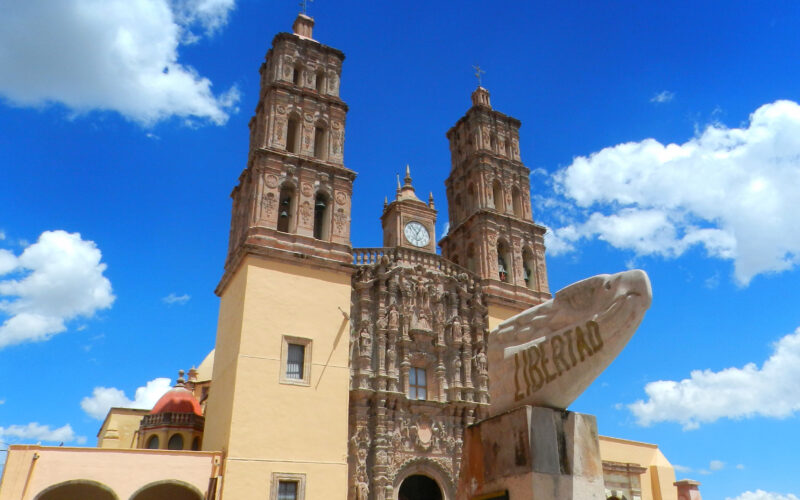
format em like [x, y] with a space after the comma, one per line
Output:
[295, 193]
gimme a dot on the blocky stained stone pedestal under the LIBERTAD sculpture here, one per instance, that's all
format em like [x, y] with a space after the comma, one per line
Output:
[532, 453]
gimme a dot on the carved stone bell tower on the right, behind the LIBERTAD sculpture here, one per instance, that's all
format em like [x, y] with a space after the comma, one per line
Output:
[492, 232]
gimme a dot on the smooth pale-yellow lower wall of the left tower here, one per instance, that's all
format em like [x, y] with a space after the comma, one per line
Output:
[272, 426]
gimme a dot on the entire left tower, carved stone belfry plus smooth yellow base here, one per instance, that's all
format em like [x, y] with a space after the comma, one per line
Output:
[282, 335]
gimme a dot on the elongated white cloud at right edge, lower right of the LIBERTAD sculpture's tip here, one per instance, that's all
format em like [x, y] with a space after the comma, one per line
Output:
[706, 396]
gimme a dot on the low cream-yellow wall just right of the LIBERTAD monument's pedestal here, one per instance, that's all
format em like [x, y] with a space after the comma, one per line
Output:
[657, 482]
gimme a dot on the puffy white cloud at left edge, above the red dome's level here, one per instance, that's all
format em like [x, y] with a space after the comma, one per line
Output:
[62, 278]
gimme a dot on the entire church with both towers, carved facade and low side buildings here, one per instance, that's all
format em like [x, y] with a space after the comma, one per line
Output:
[340, 372]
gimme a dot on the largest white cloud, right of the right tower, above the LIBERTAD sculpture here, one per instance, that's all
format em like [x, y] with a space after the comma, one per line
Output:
[731, 191]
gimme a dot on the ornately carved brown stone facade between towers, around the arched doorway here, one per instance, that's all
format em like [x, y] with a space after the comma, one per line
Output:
[405, 319]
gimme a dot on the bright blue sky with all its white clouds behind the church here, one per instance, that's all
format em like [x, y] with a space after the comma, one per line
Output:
[665, 137]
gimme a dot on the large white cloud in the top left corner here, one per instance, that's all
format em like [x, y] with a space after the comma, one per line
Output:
[113, 55]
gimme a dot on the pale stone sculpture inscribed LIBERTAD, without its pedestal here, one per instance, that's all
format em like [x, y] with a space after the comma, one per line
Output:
[549, 354]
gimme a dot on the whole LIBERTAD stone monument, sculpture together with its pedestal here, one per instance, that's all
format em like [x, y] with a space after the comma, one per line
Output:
[540, 361]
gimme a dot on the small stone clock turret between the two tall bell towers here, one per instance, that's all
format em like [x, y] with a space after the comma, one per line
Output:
[408, 221]
